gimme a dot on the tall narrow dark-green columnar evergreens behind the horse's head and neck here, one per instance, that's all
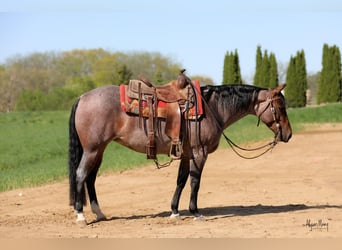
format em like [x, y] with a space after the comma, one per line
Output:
[297, 93]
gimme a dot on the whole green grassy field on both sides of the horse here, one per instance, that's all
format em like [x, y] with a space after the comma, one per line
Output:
[34, 145]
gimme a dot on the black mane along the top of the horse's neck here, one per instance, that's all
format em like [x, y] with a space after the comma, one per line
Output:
[232, 95]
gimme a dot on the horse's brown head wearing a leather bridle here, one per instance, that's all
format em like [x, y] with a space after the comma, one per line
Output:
[271, 109]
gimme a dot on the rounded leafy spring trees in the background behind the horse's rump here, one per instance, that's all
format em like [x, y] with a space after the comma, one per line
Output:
[53, 80]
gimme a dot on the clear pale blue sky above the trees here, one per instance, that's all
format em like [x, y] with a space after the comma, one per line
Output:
[195, 33]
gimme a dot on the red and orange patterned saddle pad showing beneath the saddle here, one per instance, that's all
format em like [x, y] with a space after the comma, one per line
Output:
[131, 105]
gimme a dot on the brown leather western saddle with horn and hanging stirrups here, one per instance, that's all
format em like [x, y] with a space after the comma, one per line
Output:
[176, 94]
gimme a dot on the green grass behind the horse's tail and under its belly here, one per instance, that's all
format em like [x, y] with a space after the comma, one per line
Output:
[34, 147]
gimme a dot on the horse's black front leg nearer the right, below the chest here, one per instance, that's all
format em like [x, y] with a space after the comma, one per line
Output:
[196, 167]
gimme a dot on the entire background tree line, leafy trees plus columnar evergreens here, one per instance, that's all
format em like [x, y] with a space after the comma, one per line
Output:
[53, 80]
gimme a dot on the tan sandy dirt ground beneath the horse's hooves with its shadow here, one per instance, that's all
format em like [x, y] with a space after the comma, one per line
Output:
[276, 196]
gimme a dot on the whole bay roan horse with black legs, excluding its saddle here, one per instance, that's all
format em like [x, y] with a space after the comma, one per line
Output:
[97, 119]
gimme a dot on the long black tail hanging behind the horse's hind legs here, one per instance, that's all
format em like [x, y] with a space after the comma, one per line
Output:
[75, 155]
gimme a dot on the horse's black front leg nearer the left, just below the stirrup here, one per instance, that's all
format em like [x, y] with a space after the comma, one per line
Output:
[183, 173]
